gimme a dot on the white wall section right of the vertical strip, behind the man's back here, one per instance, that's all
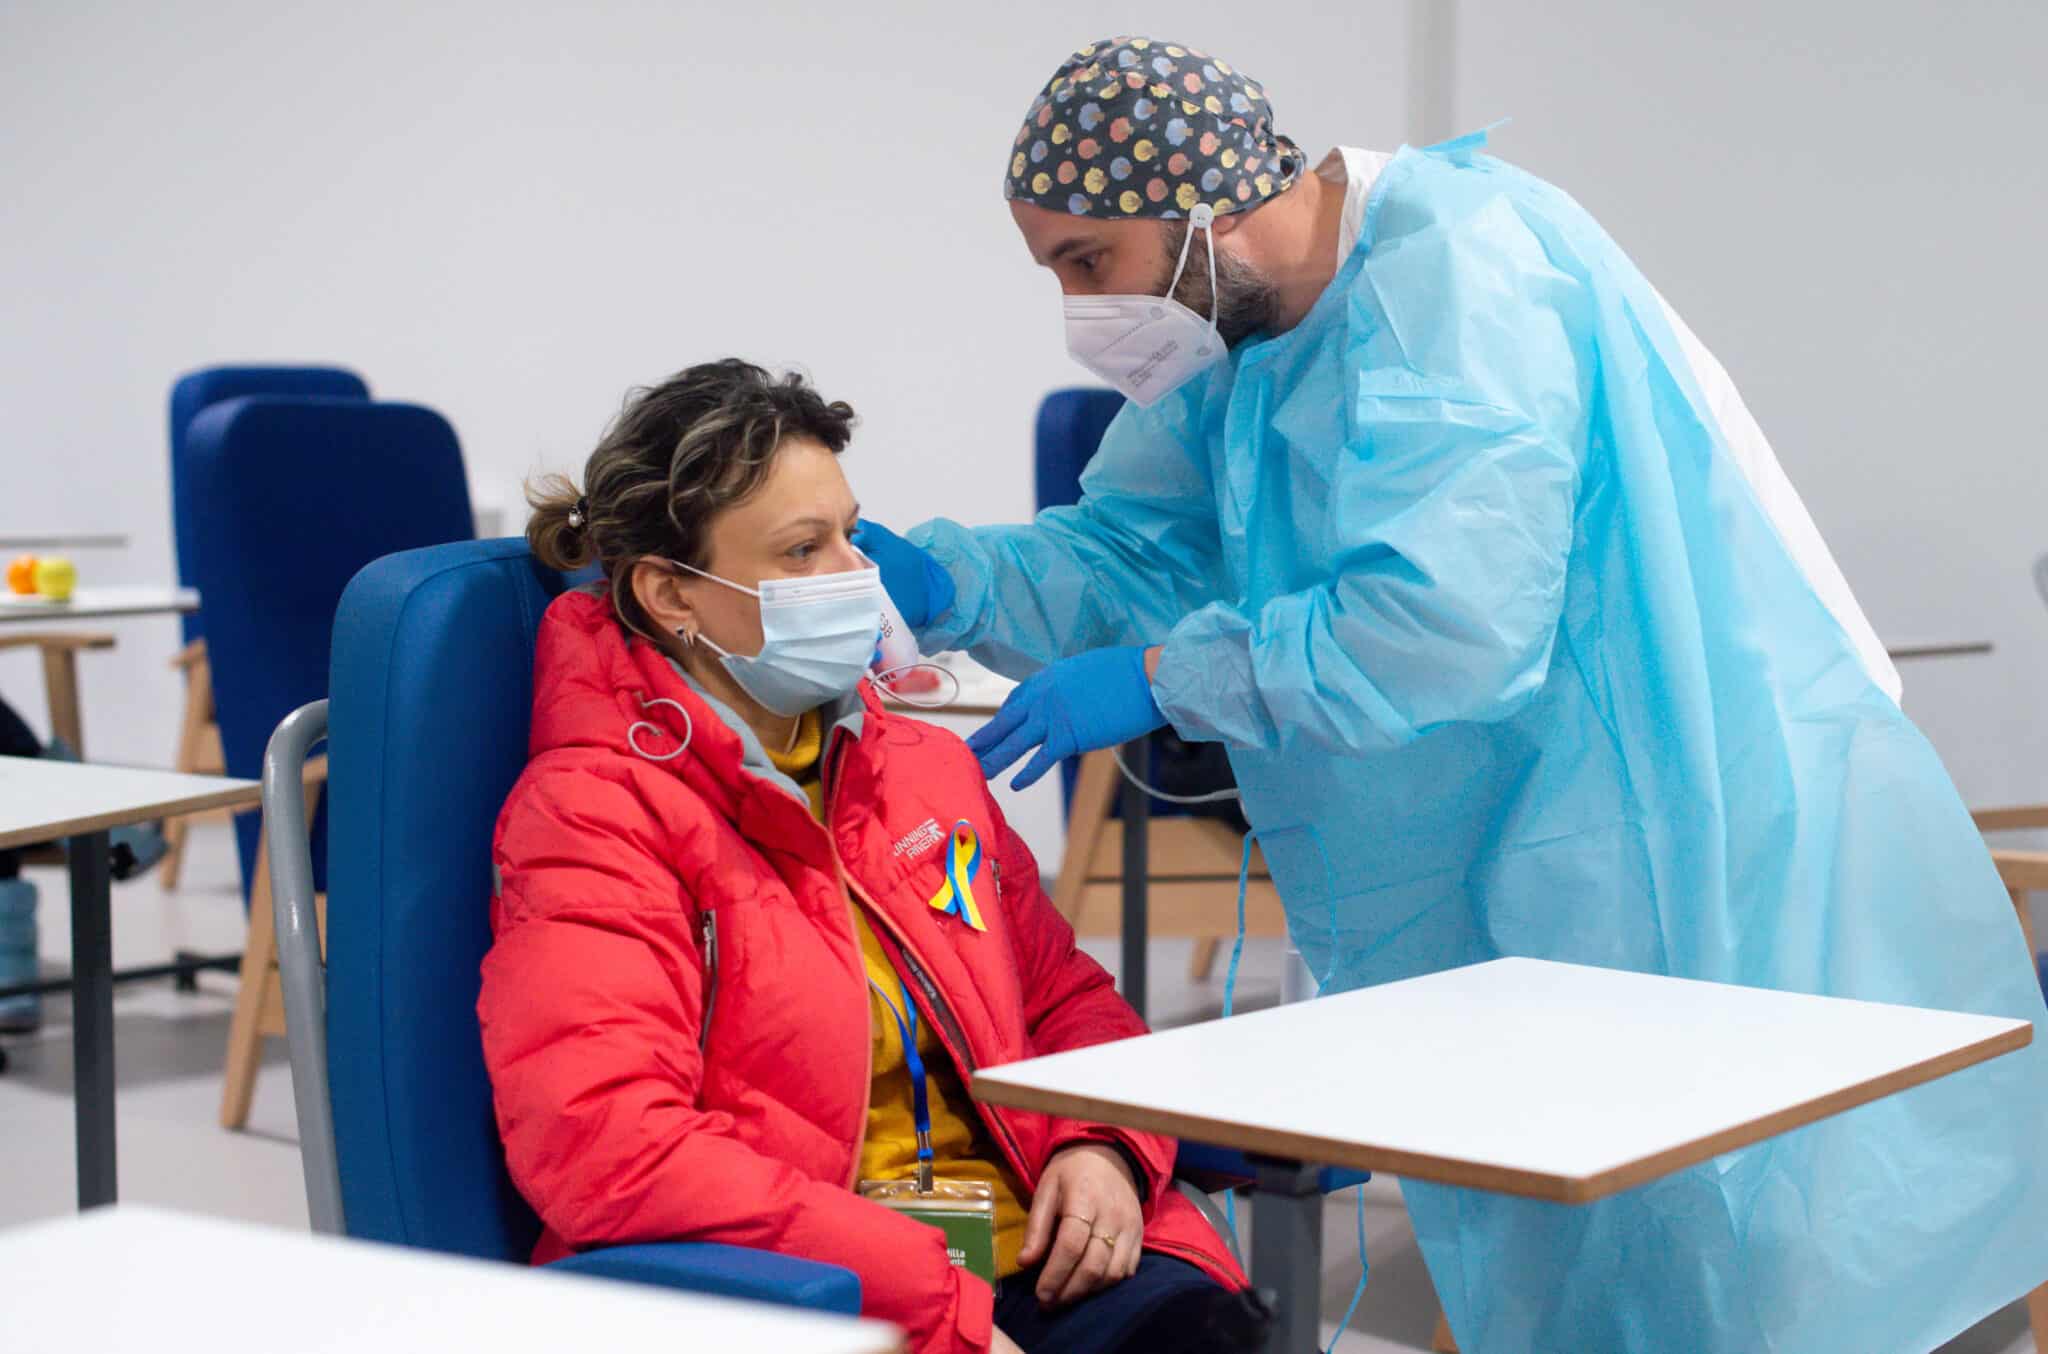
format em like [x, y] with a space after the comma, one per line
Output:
[1846, 200]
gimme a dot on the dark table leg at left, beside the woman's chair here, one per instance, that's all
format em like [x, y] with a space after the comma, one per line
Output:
[93, 1017]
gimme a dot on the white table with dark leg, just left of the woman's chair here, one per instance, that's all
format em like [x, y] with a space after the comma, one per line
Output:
[44, 802]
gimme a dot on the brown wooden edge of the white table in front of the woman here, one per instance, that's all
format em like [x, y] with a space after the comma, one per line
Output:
[1316, 1150]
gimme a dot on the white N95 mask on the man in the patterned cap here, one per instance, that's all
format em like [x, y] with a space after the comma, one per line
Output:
[1150, 347]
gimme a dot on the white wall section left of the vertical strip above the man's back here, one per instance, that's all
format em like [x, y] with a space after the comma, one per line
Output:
[515, 212]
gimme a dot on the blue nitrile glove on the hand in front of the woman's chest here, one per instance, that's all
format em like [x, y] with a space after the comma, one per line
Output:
[1080, 704]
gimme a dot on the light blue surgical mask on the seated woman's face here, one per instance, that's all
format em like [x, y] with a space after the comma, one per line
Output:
[818, 638]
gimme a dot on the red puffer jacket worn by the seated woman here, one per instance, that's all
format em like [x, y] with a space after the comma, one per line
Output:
[677, 1011]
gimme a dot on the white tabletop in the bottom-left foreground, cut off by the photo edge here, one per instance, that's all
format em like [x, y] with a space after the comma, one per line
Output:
[128, 1279]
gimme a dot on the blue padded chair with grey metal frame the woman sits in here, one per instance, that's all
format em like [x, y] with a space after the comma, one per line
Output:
[431, 702]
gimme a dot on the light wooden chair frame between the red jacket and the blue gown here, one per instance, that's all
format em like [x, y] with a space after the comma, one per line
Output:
[1193, 872]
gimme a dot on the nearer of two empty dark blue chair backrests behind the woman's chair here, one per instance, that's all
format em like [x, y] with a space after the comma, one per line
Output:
[300, 497]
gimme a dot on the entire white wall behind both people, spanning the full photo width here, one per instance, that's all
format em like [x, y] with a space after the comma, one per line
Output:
[515, 212]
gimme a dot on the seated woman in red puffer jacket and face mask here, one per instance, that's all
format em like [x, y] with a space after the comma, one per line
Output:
[744, 913]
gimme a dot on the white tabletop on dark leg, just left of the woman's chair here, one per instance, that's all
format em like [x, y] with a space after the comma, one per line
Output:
[42, 800]
